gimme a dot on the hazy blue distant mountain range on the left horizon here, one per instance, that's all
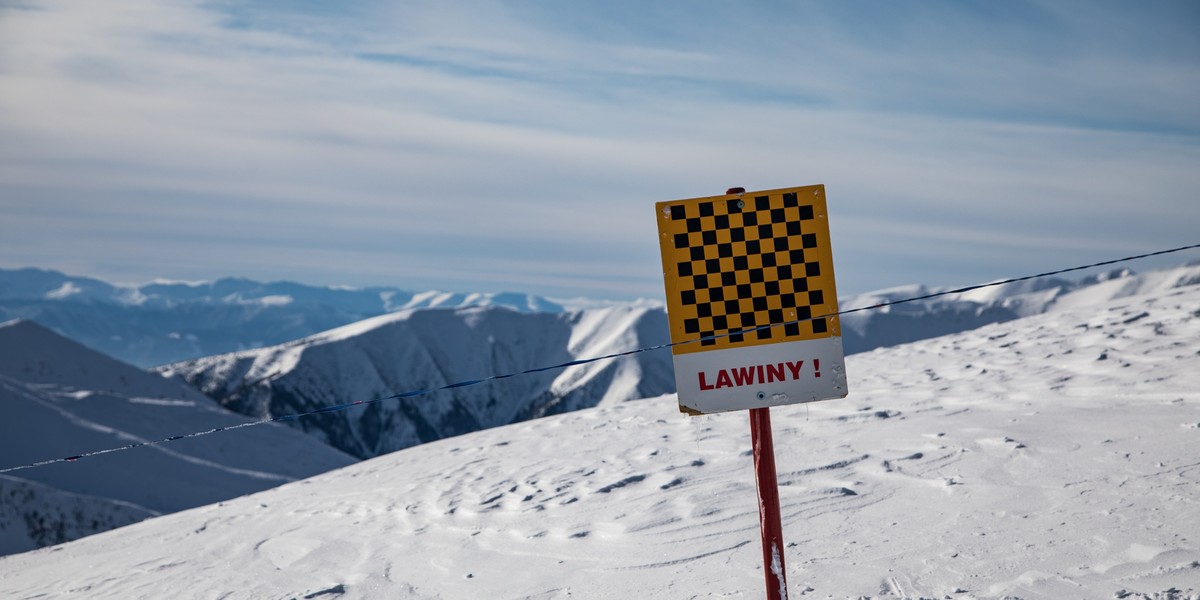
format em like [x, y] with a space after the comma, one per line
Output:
[165, 322]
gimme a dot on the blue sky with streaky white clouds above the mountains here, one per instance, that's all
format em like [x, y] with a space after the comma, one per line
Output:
[521, 146]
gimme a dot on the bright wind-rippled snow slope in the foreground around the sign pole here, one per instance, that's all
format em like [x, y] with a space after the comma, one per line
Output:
[1047, 458]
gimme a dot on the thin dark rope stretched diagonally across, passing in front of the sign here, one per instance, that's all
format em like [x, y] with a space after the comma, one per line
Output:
[338, 409]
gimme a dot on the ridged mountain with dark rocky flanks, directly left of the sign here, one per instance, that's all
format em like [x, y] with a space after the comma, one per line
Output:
[430, 349]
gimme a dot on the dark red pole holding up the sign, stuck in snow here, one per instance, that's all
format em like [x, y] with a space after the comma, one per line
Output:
[770, 521]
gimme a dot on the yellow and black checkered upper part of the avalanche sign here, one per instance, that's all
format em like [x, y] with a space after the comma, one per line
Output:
[739, 262]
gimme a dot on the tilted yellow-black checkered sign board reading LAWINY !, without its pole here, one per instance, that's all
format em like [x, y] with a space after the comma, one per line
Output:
[752, 299]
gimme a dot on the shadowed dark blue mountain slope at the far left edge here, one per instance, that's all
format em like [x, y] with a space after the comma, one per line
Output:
[59, 399]
